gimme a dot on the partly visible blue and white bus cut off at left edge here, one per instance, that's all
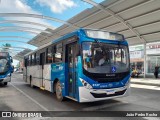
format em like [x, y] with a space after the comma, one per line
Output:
[5, 68]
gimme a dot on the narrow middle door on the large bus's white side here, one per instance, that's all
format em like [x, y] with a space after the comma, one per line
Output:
[42, 59]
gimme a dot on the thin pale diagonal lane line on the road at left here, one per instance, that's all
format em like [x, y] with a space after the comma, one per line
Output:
[44, 108]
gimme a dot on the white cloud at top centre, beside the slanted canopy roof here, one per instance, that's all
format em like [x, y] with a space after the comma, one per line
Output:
[56, 6]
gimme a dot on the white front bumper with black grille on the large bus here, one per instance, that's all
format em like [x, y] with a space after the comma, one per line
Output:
[91, 95]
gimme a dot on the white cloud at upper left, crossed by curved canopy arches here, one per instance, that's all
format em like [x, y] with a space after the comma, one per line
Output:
[20, 6]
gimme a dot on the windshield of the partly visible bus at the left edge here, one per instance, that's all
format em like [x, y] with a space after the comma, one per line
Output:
[4, 64]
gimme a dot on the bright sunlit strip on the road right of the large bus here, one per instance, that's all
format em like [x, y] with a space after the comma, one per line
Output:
[145, 86]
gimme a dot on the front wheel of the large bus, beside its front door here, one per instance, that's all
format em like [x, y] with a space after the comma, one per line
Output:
[59, 91]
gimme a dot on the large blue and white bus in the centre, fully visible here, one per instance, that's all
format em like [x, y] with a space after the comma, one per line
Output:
[85, 66]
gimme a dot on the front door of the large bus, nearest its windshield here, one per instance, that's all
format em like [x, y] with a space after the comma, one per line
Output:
[71, 59]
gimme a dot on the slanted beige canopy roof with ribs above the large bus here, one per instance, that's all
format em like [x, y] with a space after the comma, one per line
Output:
[137, 20]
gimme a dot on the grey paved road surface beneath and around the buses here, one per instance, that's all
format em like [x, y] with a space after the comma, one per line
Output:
[18, 96]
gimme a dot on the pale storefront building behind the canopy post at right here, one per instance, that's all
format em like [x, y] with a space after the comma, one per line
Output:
[152, 57]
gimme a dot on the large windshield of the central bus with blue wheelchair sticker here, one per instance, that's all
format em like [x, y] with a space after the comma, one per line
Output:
[105, 58]
